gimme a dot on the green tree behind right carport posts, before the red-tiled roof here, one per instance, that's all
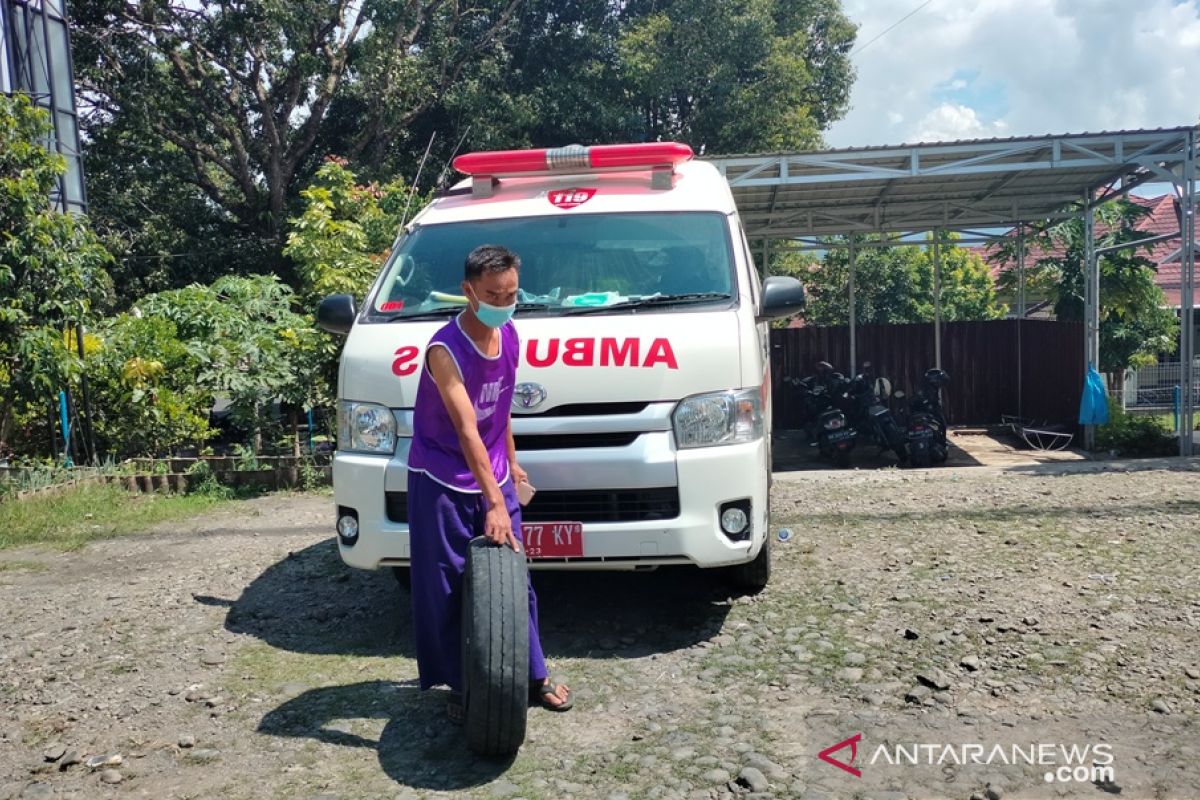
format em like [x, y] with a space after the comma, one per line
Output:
[1136, 326]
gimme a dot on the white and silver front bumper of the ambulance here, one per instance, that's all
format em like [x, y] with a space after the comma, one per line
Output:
[706, 480]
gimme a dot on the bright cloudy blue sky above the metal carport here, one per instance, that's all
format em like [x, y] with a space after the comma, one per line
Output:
[981, 69]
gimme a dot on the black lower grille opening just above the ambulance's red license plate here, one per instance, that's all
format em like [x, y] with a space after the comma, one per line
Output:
[579, 506]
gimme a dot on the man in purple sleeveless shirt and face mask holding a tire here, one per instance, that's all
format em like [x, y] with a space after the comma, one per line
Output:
[464, 472]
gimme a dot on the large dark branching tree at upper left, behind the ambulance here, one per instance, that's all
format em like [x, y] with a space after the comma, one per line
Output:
[237, 101]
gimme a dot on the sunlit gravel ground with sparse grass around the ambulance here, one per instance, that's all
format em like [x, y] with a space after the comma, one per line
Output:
[235, 657]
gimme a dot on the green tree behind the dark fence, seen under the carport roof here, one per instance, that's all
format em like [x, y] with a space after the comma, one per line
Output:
[896, 285]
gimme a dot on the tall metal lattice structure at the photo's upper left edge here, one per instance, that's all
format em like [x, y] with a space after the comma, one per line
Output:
[35, 61]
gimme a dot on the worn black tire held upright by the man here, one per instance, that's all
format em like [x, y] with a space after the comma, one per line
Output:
[496, 649]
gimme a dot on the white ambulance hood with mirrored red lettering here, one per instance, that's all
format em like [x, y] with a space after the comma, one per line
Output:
[590, 359]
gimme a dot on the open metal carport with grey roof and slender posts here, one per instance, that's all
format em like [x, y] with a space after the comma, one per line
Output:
[965, 187]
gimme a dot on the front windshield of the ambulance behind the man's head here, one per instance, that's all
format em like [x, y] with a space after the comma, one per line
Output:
[568, 262]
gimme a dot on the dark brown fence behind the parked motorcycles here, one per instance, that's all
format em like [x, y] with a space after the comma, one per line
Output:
[1034, 369]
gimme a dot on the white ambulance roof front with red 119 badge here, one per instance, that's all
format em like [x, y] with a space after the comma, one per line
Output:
[698, 187]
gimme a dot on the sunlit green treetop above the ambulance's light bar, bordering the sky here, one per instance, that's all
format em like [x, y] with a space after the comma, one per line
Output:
[737, 77]
